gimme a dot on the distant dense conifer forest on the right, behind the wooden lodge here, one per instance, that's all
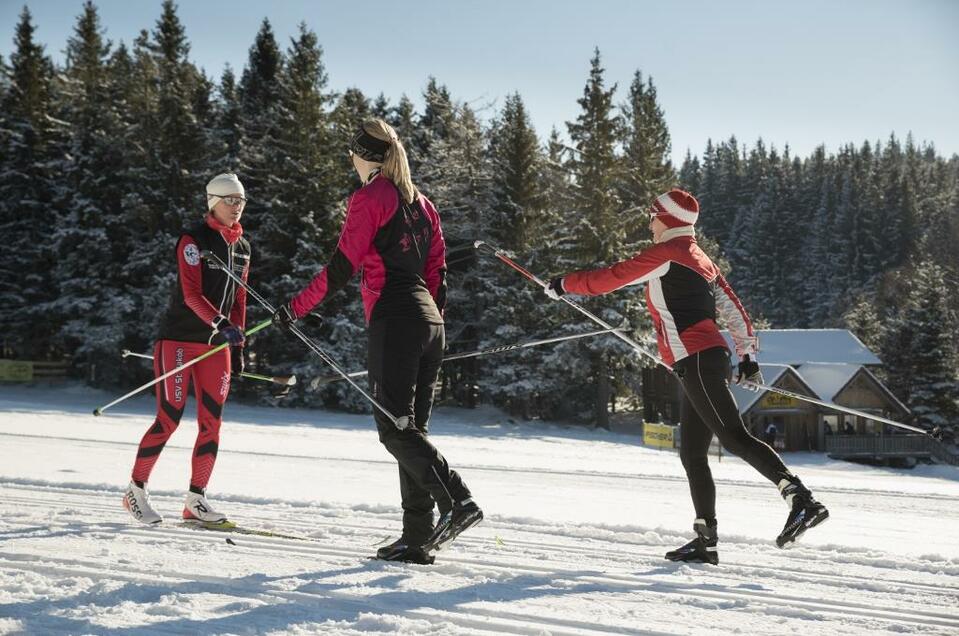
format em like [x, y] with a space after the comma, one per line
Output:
[865, 239]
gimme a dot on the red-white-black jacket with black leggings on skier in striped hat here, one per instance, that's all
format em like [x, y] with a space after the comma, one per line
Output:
[684, 293]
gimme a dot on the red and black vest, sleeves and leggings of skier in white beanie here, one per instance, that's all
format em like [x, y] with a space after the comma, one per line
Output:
[203, 296]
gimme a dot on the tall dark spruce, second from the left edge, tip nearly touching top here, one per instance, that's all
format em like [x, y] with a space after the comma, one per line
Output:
[92, 310]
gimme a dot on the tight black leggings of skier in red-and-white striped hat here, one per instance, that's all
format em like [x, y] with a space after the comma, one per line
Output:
[709, 408]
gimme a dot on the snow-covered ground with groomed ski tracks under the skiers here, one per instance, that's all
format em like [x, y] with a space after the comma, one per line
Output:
[577, 523]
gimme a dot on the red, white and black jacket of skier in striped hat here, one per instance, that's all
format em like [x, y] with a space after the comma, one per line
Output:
[685, 291]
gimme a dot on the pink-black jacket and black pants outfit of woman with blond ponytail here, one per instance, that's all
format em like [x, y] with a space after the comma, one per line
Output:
[398, 249]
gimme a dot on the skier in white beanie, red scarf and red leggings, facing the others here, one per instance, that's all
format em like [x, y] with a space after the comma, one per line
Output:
[207, 309]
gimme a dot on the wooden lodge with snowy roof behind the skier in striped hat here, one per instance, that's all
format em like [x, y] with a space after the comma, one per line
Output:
[831, 365]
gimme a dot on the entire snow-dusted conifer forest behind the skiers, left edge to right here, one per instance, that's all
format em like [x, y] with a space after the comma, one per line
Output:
[103, 161]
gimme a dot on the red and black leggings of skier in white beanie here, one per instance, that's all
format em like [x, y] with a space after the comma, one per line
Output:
[211, 384]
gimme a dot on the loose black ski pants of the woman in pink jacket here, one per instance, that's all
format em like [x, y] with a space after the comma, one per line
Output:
[404, 357]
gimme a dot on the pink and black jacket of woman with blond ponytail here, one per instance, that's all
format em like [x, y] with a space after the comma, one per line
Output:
[400, 251]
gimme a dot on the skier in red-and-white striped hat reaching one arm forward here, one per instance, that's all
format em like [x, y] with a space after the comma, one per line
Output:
[685, 291]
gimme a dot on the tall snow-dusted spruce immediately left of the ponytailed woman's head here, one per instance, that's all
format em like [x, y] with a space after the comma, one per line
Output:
[321, 177]
